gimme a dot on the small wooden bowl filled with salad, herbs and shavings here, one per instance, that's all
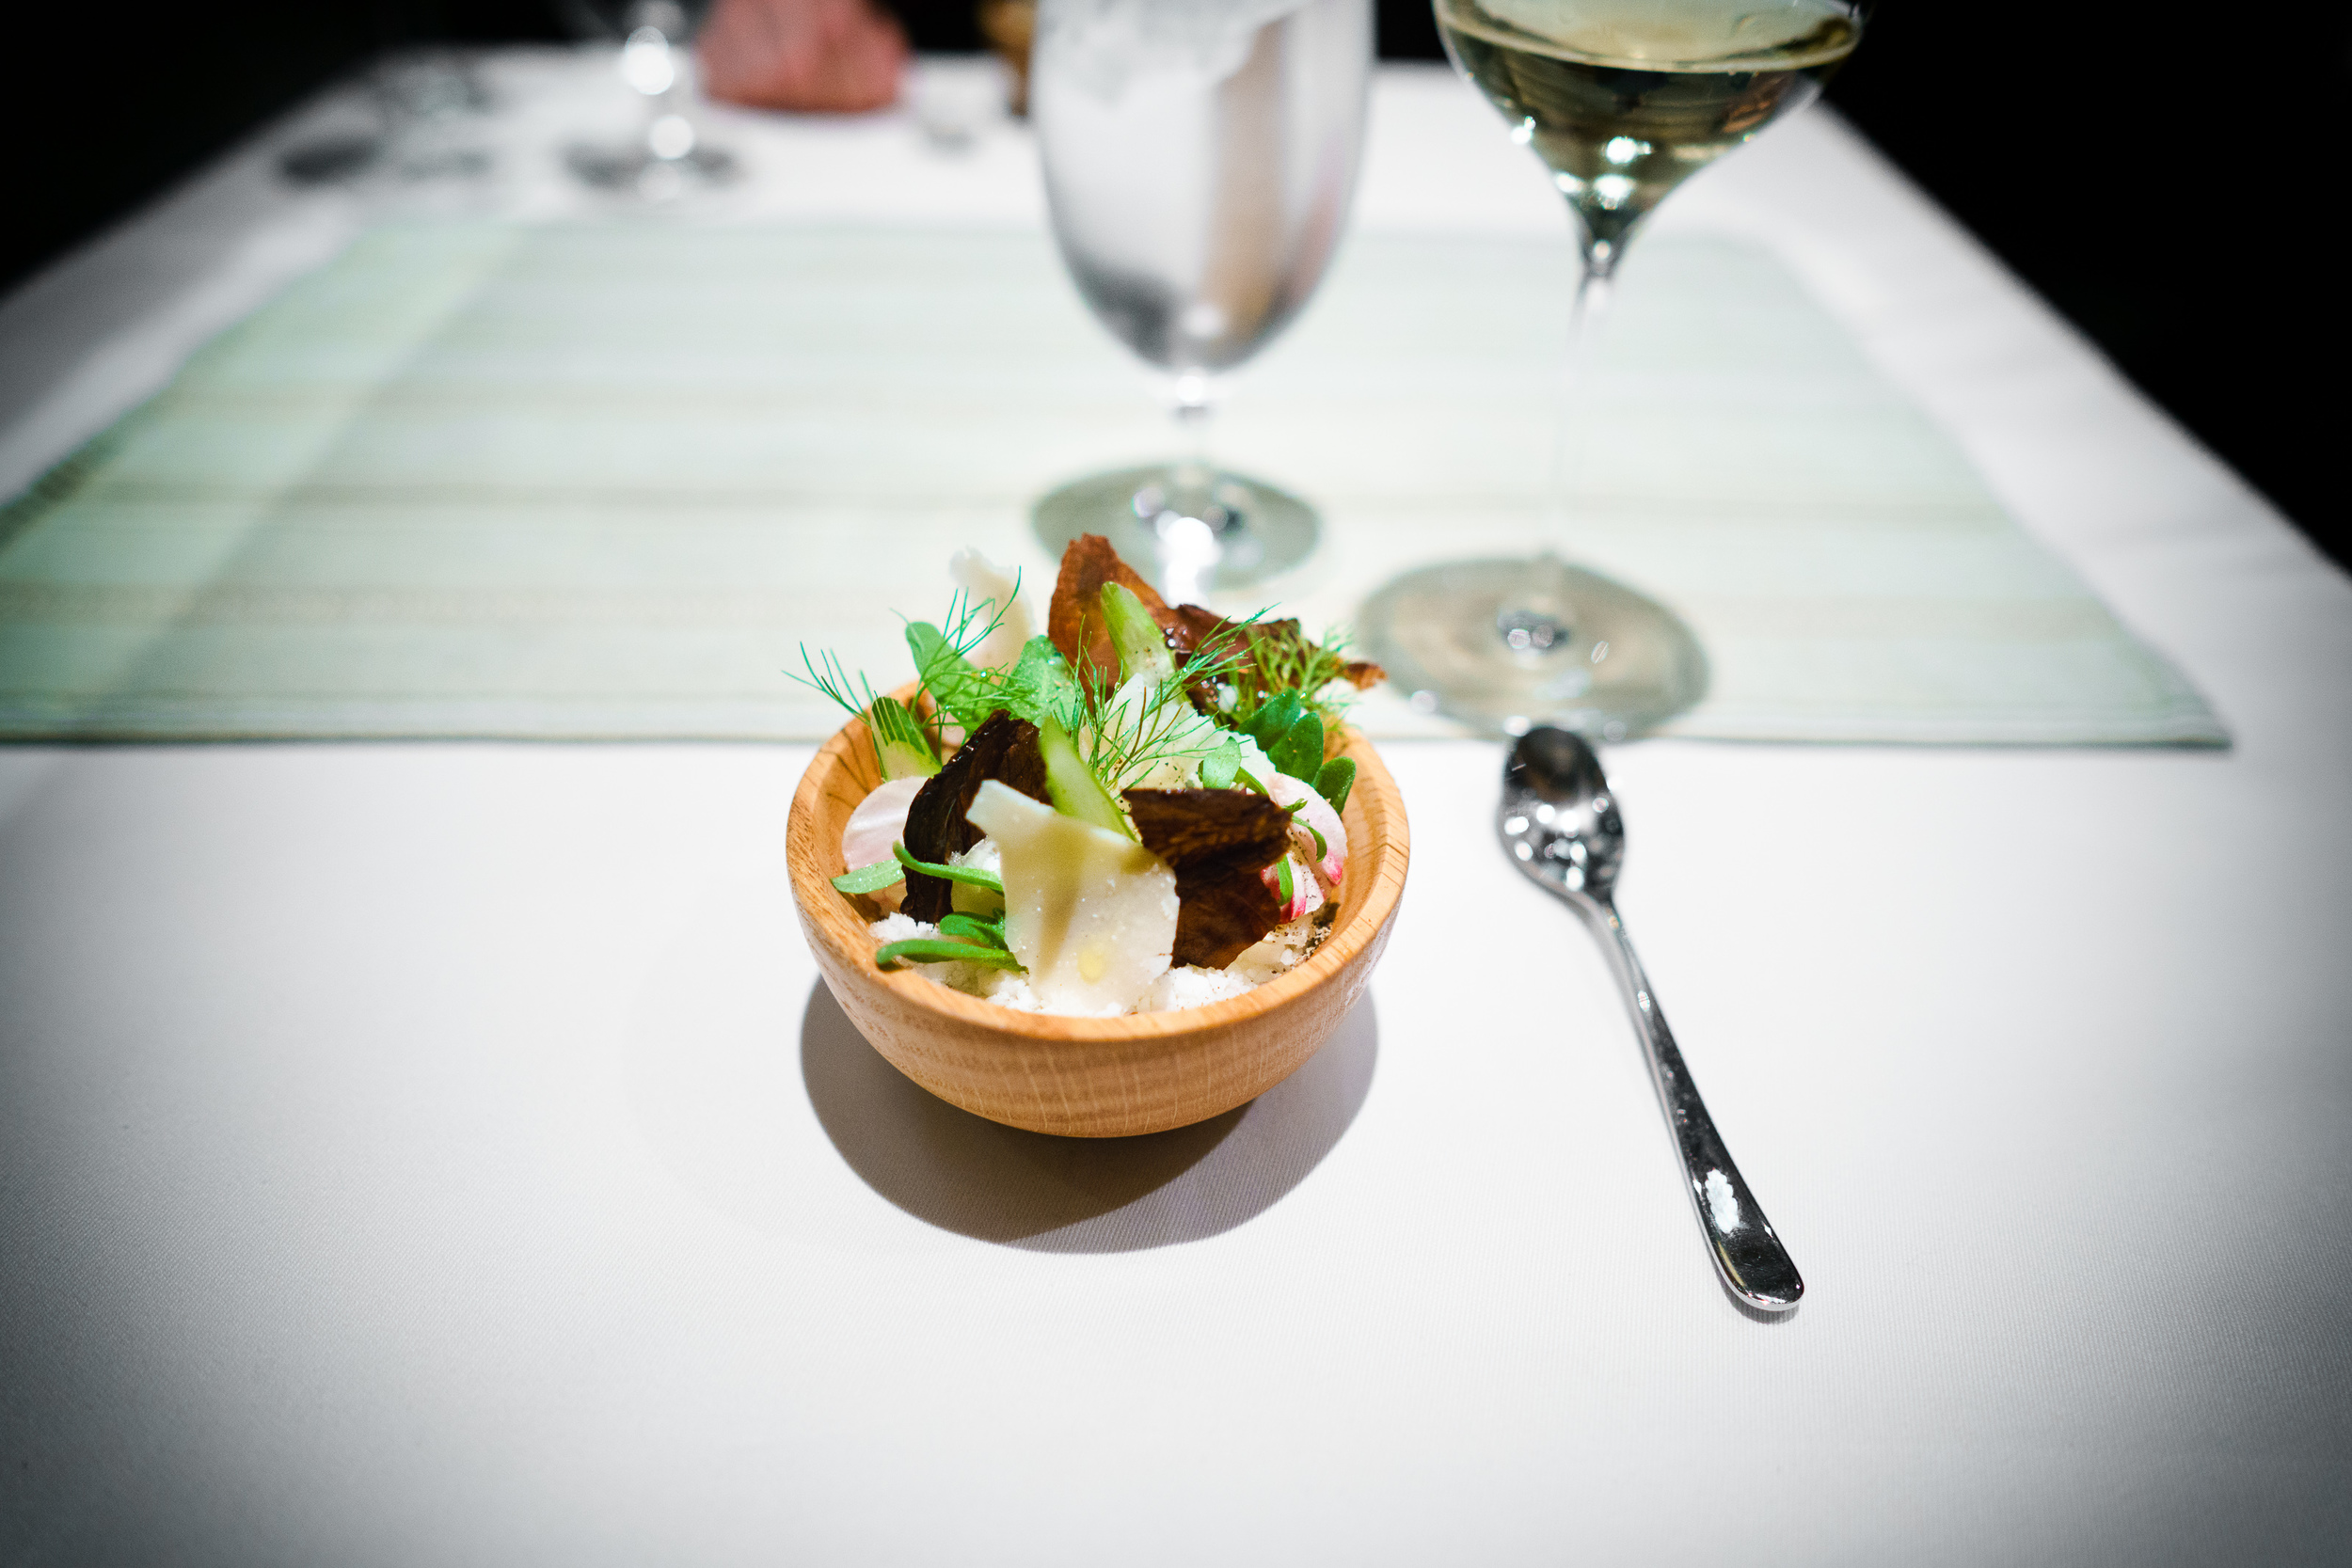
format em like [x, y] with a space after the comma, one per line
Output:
[1125, 871]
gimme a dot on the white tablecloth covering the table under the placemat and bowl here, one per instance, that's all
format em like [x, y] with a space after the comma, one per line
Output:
[448, 1155]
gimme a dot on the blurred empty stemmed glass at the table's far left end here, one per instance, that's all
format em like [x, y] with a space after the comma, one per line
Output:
[667, 156]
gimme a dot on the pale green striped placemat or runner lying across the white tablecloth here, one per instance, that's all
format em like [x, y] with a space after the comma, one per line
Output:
[603, 483]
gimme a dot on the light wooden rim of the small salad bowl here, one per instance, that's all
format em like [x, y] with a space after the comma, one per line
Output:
[838, 923]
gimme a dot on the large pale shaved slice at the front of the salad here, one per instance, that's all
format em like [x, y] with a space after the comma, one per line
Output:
[1090, 913]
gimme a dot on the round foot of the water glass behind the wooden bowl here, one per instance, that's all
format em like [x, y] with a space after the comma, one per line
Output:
[1187, 528]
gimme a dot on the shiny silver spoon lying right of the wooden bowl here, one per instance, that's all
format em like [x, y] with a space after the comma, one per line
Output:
[1563, 829]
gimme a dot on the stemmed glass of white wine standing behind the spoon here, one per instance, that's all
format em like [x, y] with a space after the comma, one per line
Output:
[1622, 100]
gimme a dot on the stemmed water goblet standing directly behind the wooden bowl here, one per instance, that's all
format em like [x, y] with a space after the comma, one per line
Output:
[1198, 163]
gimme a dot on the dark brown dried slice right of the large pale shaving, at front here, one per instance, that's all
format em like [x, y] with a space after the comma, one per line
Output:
[1217, 843]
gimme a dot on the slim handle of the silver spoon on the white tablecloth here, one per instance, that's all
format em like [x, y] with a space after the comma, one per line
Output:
[1742, 1240]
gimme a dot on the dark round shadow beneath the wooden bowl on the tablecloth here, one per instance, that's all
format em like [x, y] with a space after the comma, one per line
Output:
[1078, 1195]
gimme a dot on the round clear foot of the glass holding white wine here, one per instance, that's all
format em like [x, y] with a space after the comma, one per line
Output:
[1518, 643]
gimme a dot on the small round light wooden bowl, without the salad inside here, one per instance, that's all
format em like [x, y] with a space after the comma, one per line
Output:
[1090, 1078]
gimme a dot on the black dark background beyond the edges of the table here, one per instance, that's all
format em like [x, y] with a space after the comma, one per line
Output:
[2163, 189]
